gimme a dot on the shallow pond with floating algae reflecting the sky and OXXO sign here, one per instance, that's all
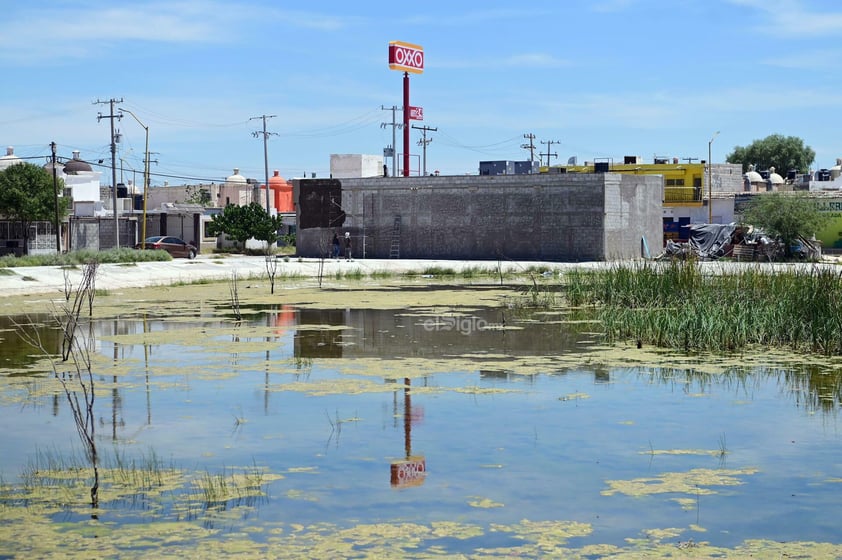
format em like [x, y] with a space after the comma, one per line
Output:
[395, 428]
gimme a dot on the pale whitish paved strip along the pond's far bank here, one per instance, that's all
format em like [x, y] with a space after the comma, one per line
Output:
[51, 279]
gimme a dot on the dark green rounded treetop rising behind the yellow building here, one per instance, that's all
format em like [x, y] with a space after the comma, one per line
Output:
[781, 152]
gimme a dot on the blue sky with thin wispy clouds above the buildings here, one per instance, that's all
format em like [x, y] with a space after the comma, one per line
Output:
[597, 78]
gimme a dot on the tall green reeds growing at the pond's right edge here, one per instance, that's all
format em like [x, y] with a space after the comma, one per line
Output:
[676, 306]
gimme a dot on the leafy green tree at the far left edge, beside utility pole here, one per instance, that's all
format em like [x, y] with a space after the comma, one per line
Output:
[28, 194]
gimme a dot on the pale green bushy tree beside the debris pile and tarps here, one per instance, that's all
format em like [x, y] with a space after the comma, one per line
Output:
[787, 215]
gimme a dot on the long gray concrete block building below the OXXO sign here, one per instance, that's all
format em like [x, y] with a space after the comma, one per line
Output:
[576, 217]
